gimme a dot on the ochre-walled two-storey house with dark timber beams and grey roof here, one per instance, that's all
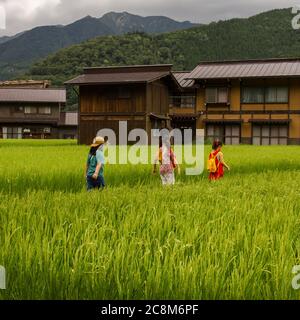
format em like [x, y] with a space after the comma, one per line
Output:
[250, 102]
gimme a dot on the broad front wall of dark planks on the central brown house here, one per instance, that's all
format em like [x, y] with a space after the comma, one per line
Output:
[102, 107]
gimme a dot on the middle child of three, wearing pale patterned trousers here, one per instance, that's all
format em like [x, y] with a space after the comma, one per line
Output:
[168, 163]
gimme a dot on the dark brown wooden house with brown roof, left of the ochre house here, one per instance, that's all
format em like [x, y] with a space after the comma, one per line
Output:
[136, 94]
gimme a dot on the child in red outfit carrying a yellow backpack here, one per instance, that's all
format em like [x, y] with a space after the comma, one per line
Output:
[217, 156]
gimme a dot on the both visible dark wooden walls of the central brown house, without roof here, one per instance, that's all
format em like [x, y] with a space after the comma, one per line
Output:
[102, 107]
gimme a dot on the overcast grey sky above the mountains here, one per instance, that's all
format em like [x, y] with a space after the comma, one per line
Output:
[26, 14]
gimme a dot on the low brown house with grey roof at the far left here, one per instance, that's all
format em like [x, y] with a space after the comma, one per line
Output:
[32, 113]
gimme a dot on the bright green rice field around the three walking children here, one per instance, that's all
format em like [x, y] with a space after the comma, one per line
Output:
[238, 238]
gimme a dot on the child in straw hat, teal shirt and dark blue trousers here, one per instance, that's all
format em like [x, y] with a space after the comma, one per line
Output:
[95, 165]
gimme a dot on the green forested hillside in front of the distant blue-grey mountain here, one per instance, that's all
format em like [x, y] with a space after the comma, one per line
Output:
[267, 35]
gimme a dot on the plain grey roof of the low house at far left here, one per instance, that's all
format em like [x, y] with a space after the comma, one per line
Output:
[32, 95]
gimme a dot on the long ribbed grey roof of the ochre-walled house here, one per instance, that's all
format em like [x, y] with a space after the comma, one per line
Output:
[247, 69]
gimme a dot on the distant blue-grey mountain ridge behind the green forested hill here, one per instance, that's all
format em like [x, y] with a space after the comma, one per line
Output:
[18, 52]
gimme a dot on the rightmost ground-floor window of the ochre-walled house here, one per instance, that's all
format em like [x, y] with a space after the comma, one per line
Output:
[270, 135]
